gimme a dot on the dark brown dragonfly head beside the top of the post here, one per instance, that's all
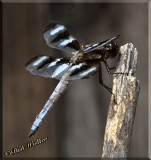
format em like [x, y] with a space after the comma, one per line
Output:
[112, 49]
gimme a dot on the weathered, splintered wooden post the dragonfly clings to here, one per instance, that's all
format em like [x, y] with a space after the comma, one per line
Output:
[121, 112]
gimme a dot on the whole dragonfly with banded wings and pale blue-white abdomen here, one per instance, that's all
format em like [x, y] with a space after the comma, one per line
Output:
[85, 62]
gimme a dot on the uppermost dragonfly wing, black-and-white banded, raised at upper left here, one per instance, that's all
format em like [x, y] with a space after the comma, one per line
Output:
[57, 36]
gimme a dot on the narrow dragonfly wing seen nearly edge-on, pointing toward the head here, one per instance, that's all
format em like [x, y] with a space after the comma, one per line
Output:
[95, 46]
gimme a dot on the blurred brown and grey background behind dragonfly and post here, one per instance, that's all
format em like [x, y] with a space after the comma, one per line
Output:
[75, 126]
